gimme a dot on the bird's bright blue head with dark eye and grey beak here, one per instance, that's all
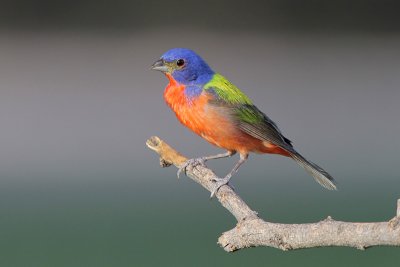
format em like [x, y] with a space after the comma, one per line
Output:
[185, 66]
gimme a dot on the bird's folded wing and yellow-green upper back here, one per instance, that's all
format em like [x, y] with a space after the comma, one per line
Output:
[243, 113]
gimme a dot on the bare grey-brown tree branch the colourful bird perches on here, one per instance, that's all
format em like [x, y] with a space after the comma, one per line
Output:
[252, 231]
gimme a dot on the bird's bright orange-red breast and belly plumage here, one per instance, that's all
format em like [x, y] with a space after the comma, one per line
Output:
[212, 123]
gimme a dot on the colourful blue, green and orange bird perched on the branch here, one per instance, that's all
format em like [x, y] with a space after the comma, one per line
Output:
[215, 109]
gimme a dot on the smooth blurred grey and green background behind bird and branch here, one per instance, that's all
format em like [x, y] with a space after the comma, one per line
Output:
[78, 187]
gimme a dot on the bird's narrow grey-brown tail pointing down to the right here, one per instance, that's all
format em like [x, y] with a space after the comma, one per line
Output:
[319, 174]
